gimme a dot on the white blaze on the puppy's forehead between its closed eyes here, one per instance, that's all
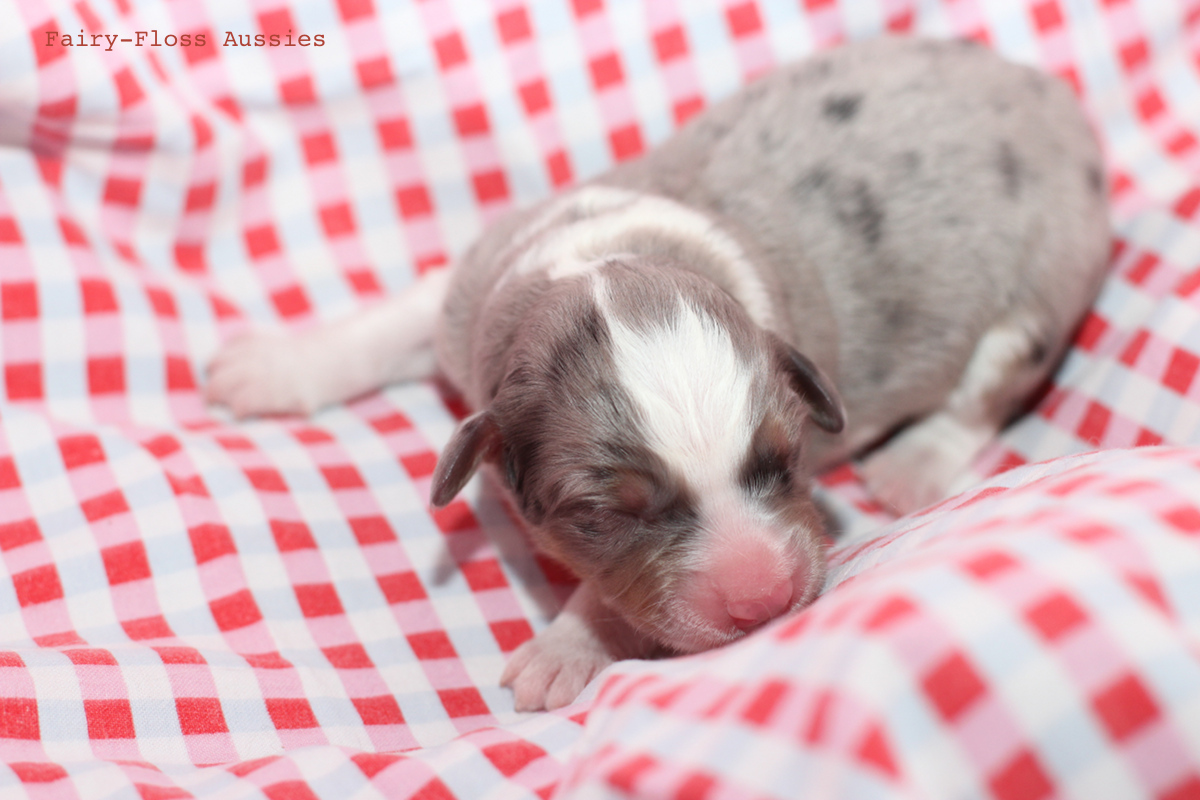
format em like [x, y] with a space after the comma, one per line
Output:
[692, 388]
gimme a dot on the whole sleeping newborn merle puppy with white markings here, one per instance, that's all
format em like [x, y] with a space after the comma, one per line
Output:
[893, 239]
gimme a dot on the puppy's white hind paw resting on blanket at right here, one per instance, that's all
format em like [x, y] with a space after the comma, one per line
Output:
[923, 464]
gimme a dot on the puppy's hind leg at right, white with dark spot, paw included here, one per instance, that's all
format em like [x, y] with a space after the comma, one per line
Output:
[931, 459]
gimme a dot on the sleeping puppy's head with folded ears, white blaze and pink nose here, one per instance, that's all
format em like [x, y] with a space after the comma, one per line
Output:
[652, 437]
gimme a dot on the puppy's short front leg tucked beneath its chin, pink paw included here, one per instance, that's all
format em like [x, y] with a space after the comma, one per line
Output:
[551, 670]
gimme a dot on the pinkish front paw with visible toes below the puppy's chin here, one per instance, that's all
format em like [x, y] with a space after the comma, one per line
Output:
[551, 670]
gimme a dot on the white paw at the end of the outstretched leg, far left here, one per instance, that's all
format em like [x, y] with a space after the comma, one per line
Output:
[266, 372]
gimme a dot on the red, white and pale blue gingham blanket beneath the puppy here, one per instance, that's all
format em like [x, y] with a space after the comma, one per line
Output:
[194, 607]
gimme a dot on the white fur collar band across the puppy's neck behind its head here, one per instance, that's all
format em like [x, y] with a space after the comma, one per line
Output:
[608, 215]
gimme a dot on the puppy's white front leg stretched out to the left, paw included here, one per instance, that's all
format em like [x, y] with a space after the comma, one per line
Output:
[272, 372]
